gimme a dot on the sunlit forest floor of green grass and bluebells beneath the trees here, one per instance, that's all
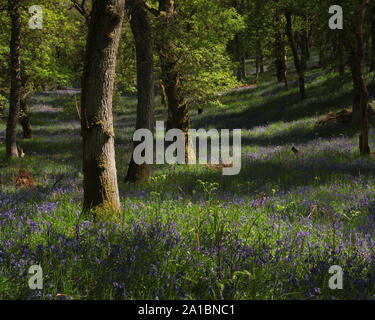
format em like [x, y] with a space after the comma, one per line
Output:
[271, 232]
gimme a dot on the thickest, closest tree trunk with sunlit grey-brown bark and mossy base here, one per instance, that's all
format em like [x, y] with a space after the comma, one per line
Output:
[99, 167]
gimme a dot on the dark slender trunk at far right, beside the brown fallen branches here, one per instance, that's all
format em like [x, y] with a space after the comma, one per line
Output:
[363, 93]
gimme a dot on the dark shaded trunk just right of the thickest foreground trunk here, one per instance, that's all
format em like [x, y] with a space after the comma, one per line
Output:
[141, 29]
